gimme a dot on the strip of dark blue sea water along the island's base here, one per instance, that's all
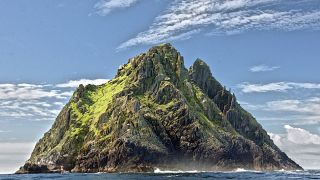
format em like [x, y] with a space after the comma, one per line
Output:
[312, 174]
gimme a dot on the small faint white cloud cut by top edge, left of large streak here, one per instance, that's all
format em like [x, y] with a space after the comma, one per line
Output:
[106, 6]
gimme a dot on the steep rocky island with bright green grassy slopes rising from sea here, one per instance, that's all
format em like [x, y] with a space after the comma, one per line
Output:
[155, 113]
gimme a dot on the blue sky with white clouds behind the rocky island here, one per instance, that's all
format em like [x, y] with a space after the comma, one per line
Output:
[266, 51]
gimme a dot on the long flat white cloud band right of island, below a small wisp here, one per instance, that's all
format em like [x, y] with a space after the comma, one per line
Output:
[276, 87]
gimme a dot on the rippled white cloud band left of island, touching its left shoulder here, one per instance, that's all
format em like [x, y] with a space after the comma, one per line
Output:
[37, 102]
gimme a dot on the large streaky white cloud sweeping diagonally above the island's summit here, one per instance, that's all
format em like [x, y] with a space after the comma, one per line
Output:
[184, 18]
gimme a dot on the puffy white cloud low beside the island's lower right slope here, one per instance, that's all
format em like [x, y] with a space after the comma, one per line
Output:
[301, 145]
